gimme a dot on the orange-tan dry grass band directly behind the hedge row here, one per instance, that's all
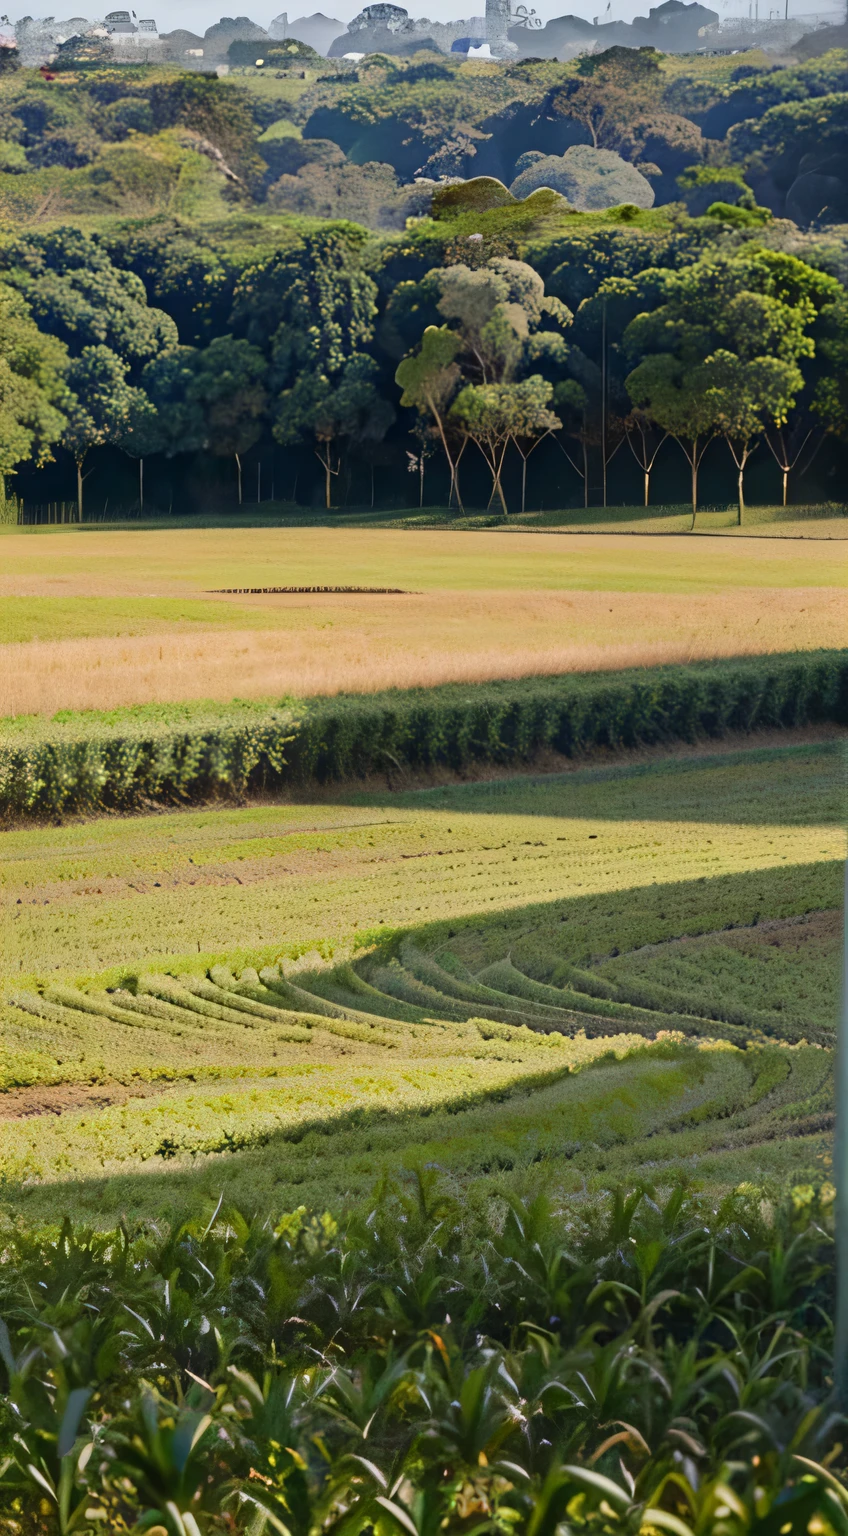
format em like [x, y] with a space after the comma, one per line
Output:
[325, 646]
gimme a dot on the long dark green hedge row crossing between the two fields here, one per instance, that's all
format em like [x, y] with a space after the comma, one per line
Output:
[177, 753]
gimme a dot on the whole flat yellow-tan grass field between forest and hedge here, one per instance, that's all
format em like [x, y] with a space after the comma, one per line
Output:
[104, 620]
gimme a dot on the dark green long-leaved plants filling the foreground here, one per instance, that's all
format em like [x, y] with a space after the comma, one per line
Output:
[646, 1363]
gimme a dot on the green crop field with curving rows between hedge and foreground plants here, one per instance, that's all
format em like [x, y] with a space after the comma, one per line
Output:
[606, 972]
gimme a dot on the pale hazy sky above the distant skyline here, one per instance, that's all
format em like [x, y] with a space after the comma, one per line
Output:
[199, 15]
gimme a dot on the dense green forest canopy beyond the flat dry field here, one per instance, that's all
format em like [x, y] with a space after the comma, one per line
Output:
[492, 322]
